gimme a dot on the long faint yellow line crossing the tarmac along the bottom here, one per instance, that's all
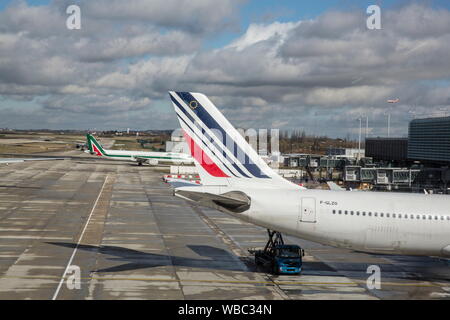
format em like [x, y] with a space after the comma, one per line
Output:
[271, 283]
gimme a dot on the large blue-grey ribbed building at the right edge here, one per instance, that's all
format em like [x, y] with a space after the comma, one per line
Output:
[429, 140]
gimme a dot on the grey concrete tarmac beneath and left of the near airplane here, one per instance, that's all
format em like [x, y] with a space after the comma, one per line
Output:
[118, 228]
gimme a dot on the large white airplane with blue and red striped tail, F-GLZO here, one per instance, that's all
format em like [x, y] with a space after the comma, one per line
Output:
[236, 181]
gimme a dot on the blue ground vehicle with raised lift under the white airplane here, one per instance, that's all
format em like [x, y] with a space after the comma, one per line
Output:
[279, 257]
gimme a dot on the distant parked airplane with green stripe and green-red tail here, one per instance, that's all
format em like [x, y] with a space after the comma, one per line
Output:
[152, 158]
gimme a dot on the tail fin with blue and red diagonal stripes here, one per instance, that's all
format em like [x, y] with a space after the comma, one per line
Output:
[222, 156]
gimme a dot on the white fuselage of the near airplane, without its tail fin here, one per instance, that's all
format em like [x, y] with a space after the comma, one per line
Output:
[396, 223]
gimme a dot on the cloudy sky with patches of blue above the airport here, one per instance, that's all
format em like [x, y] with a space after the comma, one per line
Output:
[310, 65]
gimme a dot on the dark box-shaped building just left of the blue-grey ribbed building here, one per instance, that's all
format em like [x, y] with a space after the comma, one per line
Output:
[387, 149]
